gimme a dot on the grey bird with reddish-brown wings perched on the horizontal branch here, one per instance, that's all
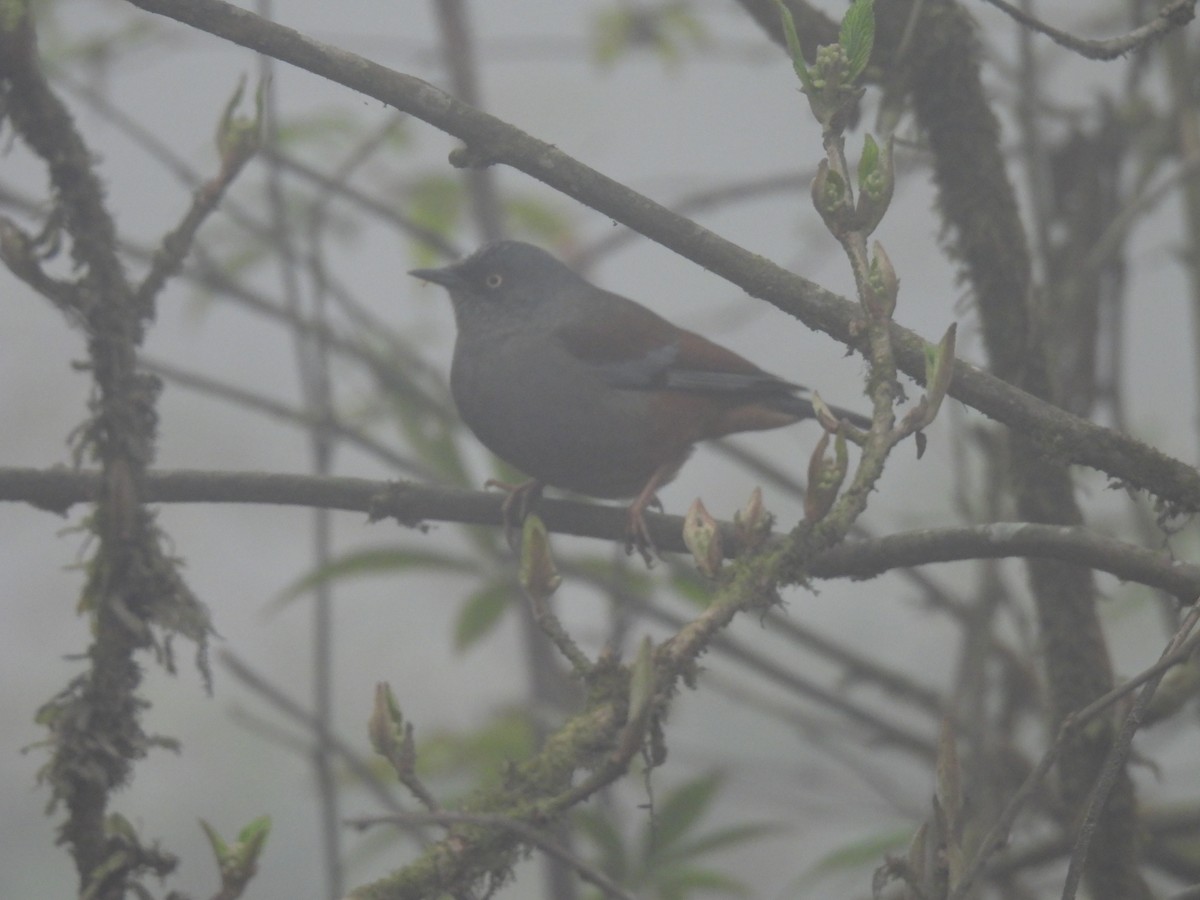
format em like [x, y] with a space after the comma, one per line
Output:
[589, 392]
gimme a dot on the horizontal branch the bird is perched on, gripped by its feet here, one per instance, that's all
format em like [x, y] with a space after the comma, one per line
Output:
[412, 505]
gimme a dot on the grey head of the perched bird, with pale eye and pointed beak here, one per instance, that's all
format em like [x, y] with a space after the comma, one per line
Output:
[505, 281]
